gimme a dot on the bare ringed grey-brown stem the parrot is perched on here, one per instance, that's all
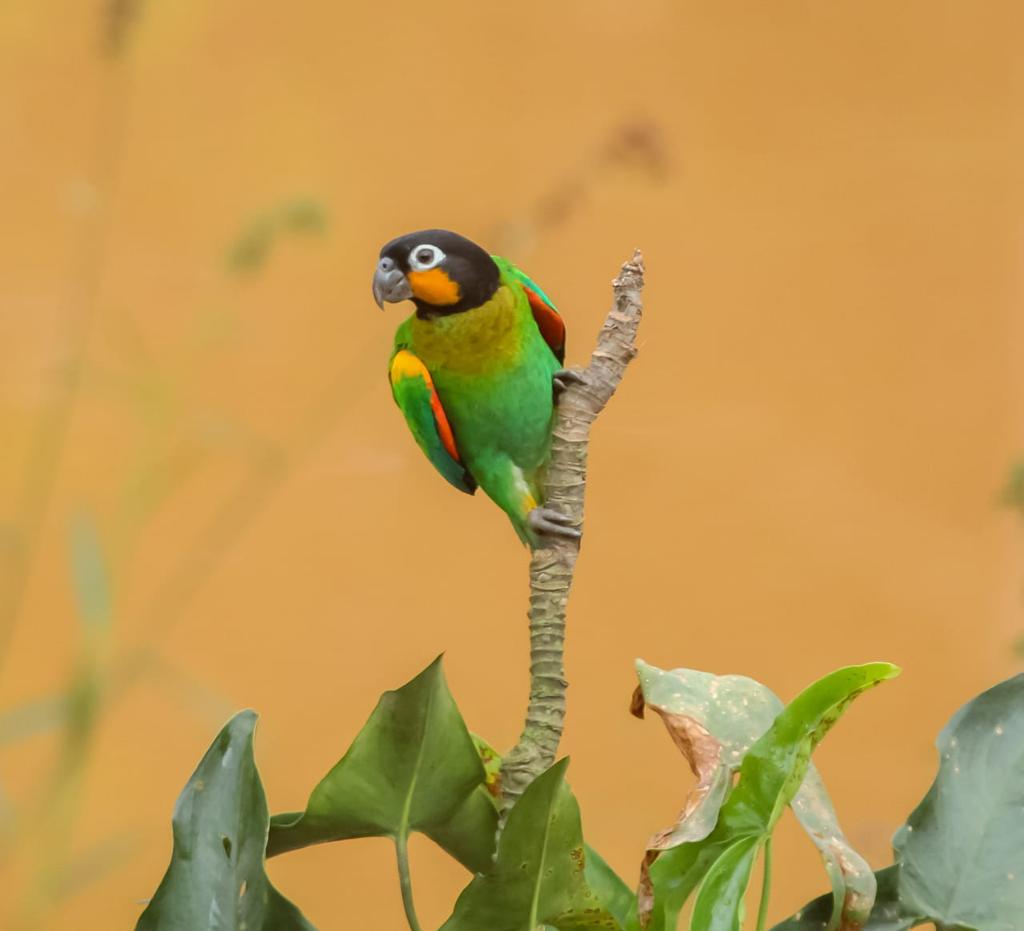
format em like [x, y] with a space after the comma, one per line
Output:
[551, 567]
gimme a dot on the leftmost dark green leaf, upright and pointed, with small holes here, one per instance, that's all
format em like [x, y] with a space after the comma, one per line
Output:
[217, 877]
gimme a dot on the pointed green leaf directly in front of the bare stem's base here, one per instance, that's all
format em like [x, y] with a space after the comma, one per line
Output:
[538, 877]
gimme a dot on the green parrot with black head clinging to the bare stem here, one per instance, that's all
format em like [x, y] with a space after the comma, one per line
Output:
[477, 371]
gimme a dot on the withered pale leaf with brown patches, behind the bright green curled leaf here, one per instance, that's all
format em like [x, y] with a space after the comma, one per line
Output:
[715, 721]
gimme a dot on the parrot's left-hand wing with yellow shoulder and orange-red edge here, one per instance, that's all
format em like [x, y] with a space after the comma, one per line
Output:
[415, 394]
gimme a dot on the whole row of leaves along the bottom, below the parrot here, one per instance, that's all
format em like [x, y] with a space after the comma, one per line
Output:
[415, 767]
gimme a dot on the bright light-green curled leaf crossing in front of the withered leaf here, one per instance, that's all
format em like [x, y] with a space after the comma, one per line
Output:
[771, 775]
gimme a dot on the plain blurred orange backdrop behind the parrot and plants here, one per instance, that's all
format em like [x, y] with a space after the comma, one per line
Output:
[801, 470]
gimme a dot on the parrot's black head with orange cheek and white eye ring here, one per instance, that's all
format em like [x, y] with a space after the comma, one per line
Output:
[442, 272]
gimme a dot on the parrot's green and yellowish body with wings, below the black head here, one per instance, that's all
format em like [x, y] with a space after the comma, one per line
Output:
[492, 371]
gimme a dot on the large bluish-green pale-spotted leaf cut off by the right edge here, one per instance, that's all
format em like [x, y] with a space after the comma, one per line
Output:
[961, 851]
